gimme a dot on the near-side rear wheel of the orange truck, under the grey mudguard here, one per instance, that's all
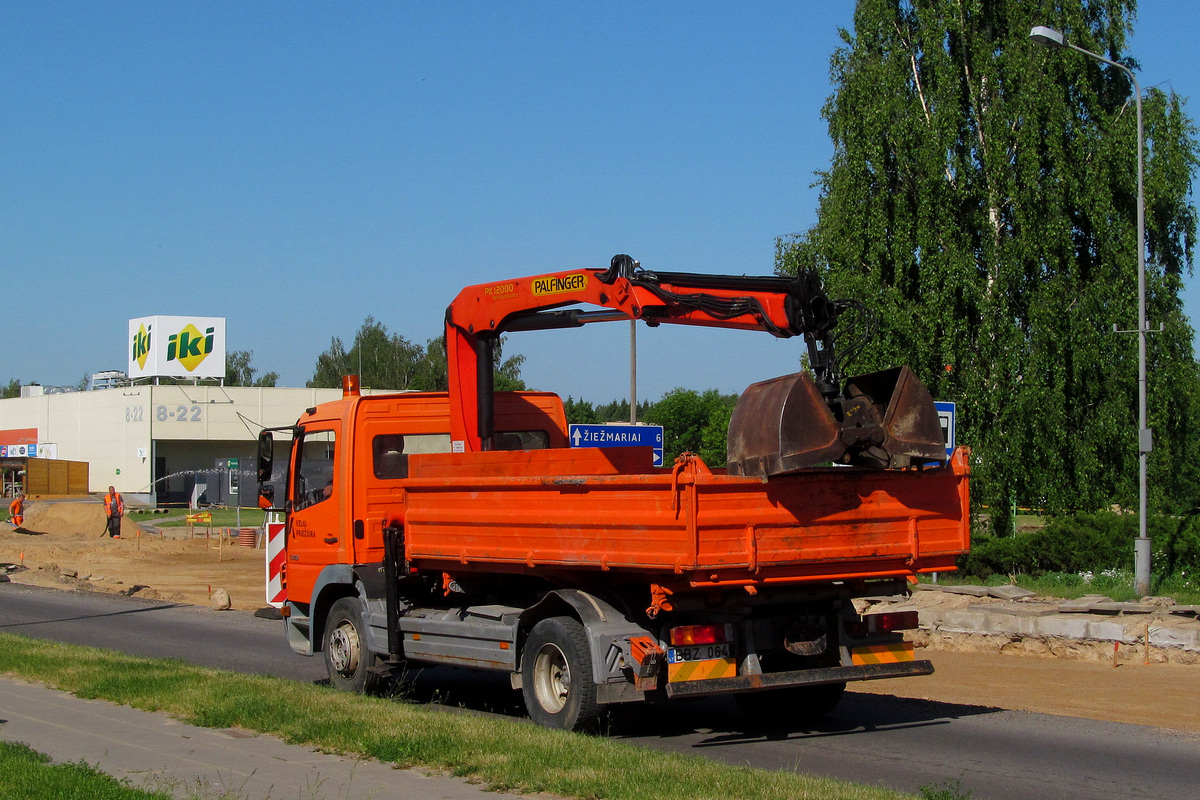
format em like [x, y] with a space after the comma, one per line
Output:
[556, 666]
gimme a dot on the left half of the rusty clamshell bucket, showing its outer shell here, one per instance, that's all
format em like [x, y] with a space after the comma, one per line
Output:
[781, 426]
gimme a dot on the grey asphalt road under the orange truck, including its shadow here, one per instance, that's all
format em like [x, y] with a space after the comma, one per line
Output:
[869, 738]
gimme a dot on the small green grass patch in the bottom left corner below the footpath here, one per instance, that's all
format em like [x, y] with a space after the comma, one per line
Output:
[31, 775]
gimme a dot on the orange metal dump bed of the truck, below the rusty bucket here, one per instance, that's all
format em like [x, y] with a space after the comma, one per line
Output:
[610, 510]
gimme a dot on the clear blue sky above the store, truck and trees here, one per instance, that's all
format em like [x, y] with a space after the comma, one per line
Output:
[297, 167]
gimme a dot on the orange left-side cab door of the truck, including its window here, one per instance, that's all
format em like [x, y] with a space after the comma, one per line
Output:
[315, 536]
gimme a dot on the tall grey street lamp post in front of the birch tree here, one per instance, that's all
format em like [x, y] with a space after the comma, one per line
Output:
[1053, 39]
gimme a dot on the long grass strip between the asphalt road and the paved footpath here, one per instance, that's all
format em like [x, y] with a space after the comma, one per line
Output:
[502, 754]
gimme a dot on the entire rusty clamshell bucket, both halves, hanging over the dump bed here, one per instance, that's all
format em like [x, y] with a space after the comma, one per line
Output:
[783, 425]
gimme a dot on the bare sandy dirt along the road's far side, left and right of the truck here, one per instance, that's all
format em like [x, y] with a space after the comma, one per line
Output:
[64, 545]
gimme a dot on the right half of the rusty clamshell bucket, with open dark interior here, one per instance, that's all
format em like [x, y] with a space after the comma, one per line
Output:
[890, 420]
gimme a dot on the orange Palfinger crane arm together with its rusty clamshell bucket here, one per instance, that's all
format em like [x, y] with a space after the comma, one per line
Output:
[781, 306]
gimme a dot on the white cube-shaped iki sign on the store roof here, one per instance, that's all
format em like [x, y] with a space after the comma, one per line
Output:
[177, 347]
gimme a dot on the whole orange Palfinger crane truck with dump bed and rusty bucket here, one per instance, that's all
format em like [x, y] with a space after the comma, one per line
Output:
[461, 528]
